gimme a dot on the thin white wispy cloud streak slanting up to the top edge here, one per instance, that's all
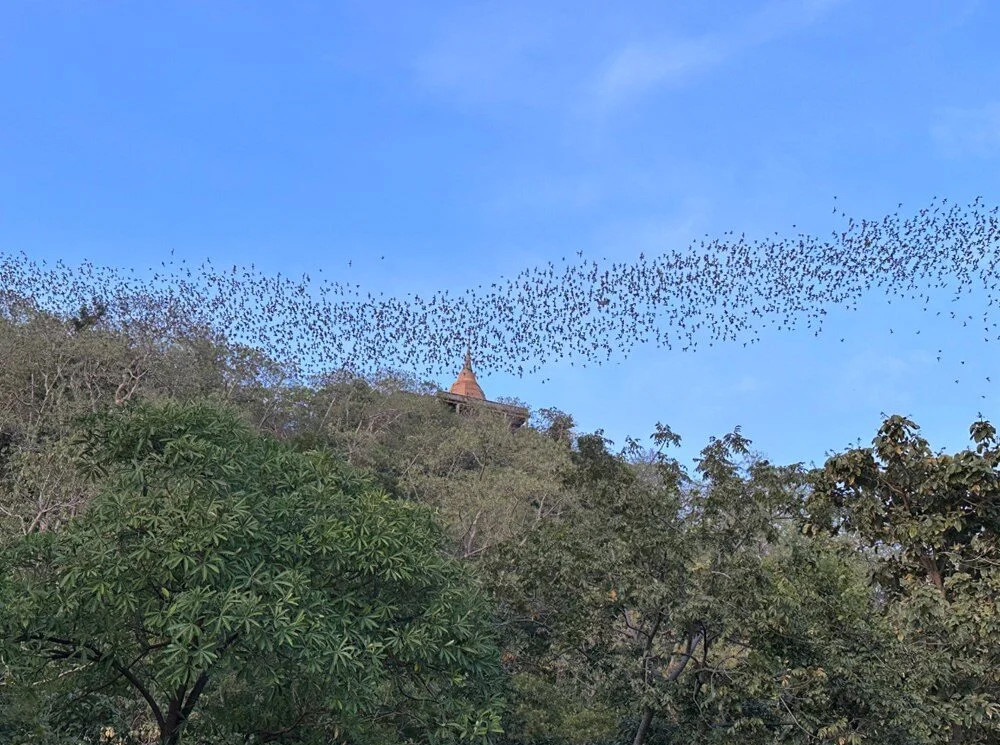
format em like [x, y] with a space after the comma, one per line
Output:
[642, 66]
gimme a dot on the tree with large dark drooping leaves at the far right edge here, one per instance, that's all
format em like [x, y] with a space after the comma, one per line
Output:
[930, 523]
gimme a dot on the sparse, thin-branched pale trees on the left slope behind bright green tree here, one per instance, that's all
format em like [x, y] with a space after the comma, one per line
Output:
[56, 369]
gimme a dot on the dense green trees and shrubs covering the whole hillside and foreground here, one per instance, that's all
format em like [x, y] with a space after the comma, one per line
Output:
[200, 548]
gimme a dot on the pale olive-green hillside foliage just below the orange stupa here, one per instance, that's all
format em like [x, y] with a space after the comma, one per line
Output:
[487, 482]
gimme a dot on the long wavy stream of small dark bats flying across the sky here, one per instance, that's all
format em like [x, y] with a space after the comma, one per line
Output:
[720, 290]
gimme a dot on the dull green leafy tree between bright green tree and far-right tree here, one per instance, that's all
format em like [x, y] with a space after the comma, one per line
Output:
[667, 609]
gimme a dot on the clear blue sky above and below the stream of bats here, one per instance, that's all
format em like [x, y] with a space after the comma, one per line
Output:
[466, 141]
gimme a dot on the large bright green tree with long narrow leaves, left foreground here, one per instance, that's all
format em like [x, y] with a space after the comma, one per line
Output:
[224, 584]
